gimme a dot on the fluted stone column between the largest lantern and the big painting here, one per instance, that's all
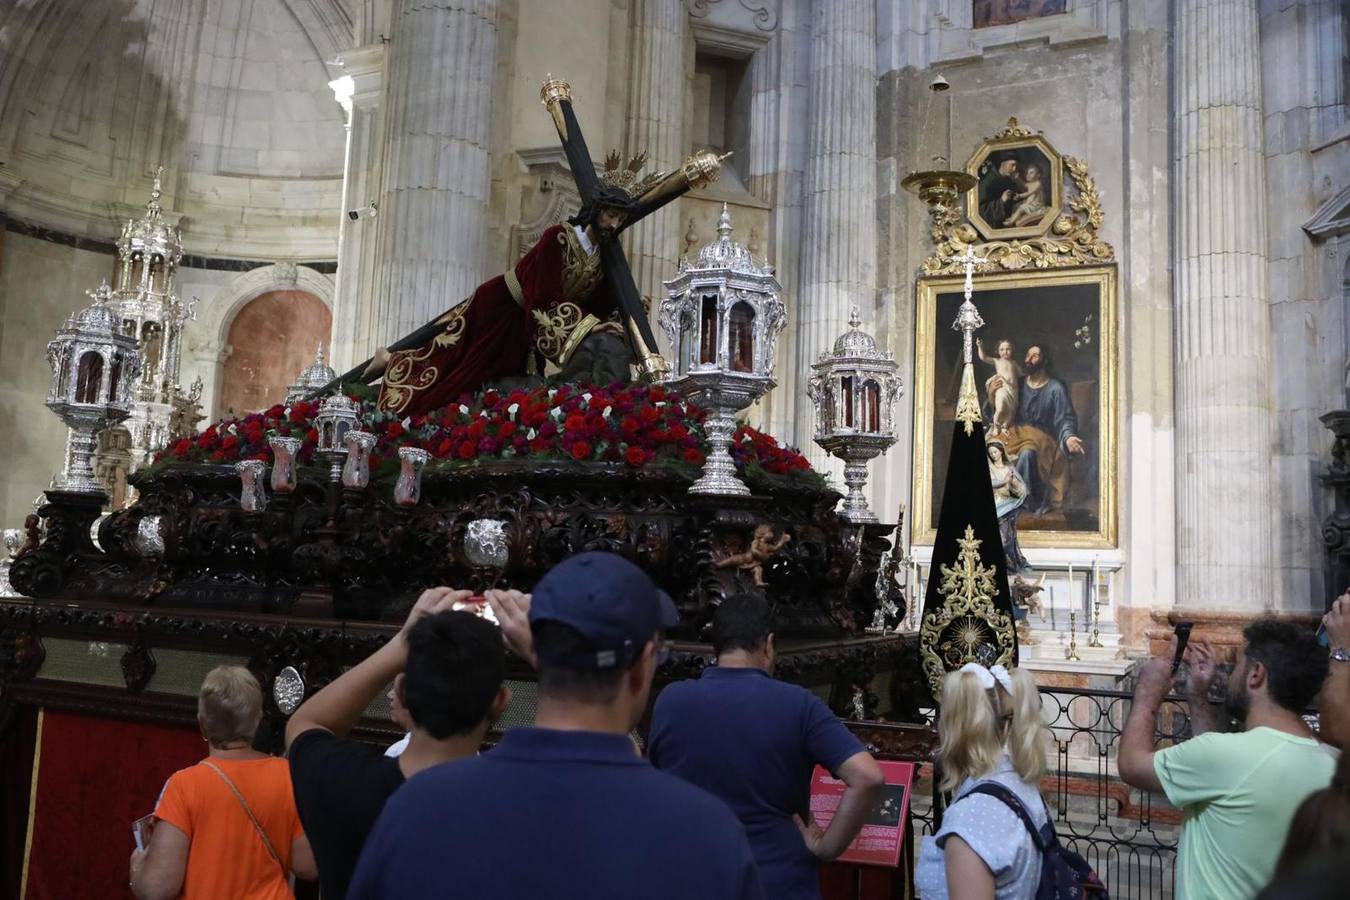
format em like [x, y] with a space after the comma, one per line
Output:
[839, 218]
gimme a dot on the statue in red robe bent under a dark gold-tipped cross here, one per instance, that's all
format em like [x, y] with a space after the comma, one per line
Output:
[564, 291]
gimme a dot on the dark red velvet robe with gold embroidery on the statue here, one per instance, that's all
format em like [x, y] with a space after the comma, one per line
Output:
[554, 296]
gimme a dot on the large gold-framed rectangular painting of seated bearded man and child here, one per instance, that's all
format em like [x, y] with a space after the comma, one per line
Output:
[1046, 368]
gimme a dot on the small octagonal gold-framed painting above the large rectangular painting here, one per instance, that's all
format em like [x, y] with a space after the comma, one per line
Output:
[1020, 191]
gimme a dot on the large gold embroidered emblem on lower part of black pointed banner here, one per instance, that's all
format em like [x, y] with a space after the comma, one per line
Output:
[967, 627]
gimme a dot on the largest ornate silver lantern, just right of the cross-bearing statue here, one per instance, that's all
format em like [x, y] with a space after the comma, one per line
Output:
[723, 315]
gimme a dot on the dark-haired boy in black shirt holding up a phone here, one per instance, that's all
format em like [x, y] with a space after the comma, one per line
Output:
[448, 671]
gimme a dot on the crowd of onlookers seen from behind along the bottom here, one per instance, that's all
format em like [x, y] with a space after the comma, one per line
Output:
[718, 805]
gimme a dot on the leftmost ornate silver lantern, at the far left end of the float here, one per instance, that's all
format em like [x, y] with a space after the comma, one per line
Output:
[94, 369]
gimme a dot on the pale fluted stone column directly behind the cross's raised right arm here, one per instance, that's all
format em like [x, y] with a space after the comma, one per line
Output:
[655, 126]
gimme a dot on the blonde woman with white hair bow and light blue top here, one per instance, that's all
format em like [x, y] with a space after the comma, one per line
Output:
[992, 732]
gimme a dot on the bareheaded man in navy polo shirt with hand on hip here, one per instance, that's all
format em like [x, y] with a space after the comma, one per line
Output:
[754, 741]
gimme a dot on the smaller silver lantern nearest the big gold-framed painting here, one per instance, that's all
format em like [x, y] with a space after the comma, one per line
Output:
[854, 391]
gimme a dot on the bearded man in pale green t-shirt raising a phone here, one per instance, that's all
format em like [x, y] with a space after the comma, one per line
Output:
[1239, 791]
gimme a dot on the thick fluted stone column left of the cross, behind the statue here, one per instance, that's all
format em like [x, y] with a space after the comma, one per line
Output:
[434, 199]
